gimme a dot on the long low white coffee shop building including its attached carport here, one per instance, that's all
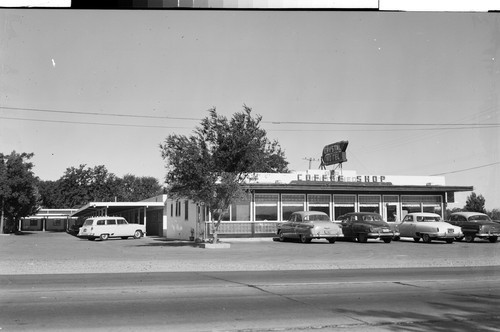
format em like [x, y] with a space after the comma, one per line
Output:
[272, 197]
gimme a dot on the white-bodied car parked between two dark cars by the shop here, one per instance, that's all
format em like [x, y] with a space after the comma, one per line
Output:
[428, 227]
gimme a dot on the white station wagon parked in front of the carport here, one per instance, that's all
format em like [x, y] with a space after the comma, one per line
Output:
[107, 227]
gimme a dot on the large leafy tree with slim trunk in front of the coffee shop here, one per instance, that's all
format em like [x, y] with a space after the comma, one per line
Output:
[211, 165]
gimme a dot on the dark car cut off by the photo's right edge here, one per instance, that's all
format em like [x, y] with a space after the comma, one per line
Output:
[475, 225]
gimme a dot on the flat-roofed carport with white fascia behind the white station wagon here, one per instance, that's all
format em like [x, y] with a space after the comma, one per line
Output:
[134, 212]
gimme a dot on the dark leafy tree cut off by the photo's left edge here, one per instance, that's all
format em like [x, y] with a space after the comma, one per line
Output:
[18, 191]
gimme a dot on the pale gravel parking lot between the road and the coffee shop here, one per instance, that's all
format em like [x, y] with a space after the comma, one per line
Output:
[50, 253]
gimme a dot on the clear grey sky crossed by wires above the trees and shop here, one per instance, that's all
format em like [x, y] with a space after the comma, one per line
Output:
[413, 93]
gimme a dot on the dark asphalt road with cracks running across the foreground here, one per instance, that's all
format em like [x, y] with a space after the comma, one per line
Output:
[439, 299]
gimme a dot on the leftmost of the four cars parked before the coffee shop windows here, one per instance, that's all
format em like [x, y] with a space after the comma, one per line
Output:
[308, 225]
